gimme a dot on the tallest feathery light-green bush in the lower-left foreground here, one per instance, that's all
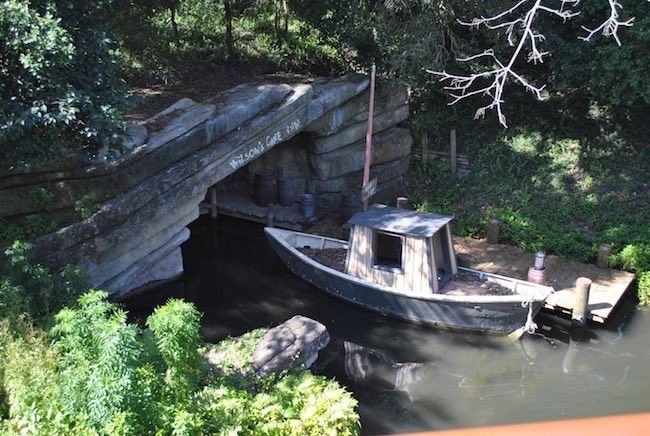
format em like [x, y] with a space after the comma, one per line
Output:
[97, 363]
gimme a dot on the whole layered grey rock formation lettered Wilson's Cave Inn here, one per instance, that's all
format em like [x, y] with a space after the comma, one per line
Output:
[152, 192]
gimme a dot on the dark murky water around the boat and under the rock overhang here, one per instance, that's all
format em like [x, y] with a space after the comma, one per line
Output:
[405, 377]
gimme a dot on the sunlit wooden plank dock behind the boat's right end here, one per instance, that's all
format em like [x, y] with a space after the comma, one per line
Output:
[607, 289]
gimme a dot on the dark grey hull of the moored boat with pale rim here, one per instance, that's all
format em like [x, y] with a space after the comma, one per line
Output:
[464, 314]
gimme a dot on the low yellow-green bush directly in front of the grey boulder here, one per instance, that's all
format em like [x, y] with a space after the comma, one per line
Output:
[292, 403]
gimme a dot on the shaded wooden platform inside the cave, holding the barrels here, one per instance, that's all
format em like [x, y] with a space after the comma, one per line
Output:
[242, 206]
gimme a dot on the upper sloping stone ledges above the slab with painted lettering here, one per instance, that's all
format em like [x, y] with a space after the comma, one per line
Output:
[185, 135]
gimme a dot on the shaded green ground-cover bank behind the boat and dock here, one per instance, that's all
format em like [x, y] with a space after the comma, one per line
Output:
[562, 192]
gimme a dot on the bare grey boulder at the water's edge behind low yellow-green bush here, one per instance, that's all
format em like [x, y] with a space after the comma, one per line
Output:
[294, 343]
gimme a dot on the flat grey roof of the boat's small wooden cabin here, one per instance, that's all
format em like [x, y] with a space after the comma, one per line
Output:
[400, 221]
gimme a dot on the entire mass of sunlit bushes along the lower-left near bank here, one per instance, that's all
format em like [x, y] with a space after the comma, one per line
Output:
[103, 375]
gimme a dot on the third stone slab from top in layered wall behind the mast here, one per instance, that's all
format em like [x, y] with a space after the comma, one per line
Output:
[389, 145]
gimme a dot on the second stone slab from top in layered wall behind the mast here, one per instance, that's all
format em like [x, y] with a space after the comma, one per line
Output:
[356, 131]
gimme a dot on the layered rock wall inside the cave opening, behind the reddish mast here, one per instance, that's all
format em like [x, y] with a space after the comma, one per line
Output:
[328, 160]
